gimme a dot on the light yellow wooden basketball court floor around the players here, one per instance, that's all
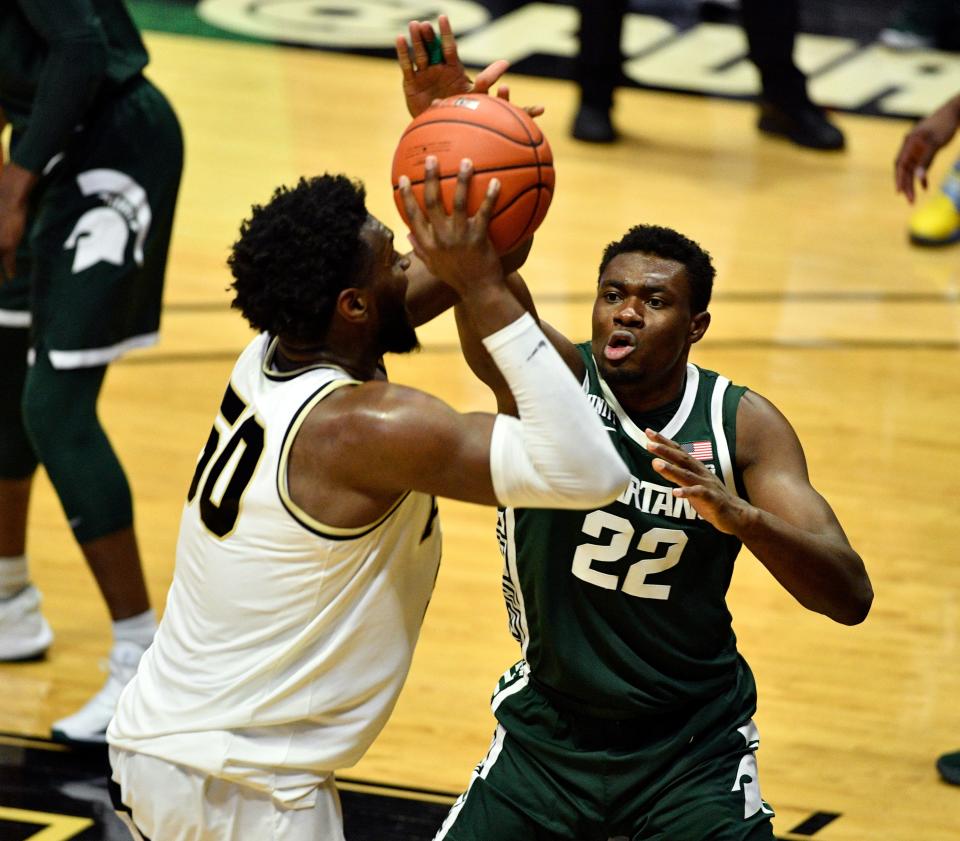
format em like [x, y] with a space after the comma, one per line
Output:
[820, 305]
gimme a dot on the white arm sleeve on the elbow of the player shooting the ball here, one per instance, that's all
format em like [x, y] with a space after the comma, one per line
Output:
[558, 454]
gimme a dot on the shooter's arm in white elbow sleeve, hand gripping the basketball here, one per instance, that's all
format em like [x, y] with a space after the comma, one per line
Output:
[384, 439]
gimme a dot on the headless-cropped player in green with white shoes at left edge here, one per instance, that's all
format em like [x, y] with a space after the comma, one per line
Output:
[86, 206]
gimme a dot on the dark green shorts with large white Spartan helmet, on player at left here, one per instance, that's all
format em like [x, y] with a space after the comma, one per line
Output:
[90, 268]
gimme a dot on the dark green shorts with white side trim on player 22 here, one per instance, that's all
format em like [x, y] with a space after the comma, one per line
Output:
[553, 775]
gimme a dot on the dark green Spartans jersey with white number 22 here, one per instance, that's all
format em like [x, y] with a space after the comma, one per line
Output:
[621, 611]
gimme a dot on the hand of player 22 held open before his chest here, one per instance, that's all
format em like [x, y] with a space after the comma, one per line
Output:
[708, 495]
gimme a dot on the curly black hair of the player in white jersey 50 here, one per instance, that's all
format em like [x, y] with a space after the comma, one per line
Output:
[297, 253]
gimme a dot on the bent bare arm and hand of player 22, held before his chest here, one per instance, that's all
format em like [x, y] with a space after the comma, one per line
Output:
[786, 523]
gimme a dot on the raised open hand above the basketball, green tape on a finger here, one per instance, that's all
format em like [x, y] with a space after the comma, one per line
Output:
[423, 81]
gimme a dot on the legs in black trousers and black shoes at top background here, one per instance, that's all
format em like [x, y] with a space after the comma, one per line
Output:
[786, 109]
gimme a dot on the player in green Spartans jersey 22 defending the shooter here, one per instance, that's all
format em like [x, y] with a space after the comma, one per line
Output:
[629, 715]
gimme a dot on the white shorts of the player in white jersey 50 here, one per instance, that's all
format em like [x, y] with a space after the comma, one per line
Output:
[168, 802]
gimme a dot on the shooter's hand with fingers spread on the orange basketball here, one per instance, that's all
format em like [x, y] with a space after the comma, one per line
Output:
[454, 247]
